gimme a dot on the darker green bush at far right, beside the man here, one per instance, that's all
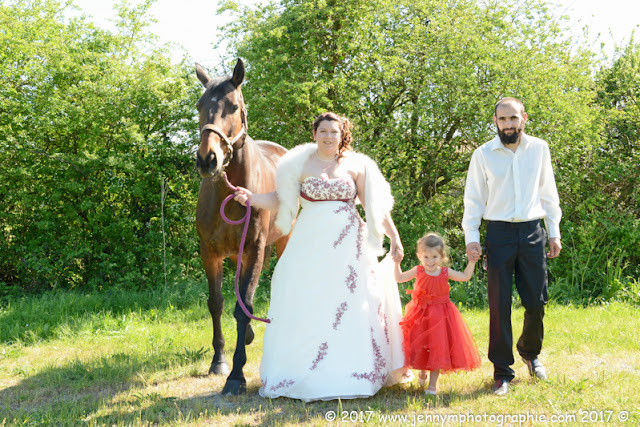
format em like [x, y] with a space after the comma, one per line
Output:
[601, 259]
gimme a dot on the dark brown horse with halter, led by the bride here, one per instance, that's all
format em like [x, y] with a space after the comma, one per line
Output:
[225, 147]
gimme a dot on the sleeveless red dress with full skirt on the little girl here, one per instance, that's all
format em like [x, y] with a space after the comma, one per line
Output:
[435, 334]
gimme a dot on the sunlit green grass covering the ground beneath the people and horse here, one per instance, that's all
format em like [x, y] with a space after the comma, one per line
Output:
[140, 358]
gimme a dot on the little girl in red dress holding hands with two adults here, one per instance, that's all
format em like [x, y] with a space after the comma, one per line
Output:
[436, 338]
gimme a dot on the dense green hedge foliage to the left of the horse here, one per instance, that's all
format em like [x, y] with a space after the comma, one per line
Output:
[91, 122]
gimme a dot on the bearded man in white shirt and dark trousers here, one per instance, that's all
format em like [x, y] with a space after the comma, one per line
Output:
[511, 185]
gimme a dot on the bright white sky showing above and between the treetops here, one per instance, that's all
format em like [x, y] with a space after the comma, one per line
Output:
[192, 23]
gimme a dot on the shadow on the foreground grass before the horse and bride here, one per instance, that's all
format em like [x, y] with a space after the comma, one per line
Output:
[112, 390]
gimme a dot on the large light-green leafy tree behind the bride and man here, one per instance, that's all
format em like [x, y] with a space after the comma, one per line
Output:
[419, 79]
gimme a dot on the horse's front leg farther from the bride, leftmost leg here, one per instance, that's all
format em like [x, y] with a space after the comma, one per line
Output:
[213, 269]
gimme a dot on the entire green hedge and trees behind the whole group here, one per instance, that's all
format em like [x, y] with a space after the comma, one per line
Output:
[92, 121]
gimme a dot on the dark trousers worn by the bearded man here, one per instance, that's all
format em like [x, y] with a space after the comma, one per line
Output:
[515, 249]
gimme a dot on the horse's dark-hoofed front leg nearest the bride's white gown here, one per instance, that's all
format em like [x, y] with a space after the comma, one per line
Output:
[249, 277]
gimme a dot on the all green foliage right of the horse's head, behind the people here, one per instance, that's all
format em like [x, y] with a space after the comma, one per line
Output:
[419, 80]
